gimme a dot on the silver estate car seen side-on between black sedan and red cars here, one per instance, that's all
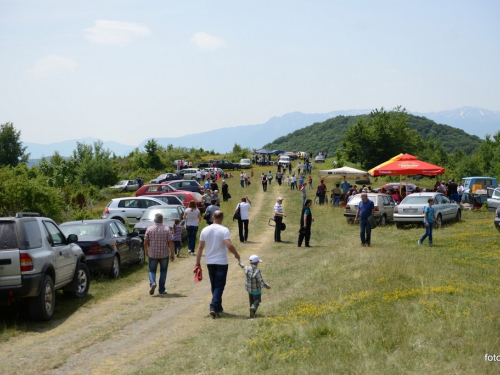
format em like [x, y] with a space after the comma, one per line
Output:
[128, 210]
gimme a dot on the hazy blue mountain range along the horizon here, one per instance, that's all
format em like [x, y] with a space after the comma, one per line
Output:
[473, 120]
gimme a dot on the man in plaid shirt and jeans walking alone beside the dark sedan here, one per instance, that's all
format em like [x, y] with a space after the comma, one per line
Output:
[158, 241]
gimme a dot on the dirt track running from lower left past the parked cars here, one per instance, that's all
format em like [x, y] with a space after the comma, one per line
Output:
[130, 329]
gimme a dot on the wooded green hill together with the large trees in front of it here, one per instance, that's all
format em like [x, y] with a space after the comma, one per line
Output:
[368, 140]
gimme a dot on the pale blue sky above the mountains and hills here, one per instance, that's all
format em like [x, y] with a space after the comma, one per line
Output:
[131, 70]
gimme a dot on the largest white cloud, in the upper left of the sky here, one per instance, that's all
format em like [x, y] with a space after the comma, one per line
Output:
[114, 32]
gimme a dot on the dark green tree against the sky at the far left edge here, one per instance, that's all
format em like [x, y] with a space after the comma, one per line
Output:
[12, 151]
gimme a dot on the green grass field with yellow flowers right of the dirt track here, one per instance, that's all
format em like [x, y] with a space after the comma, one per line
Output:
[337, 307]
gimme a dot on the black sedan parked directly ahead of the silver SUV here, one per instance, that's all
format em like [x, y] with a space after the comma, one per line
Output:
[107, 244]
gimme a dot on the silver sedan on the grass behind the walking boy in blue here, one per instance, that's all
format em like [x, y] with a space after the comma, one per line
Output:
[411, 209]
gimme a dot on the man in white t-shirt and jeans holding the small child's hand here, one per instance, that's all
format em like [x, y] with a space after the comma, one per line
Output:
[217, 240]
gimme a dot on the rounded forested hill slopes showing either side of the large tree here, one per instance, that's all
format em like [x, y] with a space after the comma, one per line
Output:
[328, 135]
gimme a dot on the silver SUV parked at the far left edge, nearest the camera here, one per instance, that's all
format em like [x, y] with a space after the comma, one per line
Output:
[36, 259]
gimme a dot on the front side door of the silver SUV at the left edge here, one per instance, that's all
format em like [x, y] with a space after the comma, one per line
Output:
[65, 264]
